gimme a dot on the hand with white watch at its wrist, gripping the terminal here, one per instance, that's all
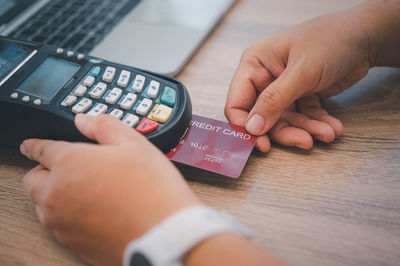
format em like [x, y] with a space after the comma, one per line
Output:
[94, 198]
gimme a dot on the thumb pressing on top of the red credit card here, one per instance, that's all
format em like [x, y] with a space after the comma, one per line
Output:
[273, 100]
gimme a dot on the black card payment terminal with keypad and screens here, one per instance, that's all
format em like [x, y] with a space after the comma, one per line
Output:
[42, 88]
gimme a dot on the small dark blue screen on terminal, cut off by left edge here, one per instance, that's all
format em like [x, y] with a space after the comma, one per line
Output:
[11, 55]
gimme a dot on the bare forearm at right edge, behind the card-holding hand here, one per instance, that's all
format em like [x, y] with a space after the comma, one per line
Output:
[381, 20]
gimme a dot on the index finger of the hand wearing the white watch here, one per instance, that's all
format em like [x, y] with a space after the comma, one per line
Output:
[43, 151]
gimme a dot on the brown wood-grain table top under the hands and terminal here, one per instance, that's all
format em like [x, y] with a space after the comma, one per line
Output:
[337, 204]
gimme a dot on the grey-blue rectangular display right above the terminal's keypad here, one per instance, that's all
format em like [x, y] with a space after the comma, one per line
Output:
[49, 78]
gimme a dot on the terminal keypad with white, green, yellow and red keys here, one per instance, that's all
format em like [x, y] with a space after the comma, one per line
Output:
[137, 100]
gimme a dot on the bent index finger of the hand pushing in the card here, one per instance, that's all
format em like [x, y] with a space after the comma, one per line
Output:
[250, 78]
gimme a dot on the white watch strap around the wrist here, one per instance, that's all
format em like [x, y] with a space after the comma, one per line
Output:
[169, 241]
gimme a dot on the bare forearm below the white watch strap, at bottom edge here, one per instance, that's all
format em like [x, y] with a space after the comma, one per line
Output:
[228, 249]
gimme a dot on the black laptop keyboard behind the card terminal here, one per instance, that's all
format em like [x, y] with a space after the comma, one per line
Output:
[74, 24]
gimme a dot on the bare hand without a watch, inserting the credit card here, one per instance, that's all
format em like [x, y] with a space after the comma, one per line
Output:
[323, 56]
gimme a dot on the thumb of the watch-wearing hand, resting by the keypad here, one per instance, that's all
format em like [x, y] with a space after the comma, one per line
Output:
[105, 129]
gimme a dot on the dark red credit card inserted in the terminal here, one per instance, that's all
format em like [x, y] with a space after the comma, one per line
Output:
[214, 146]
